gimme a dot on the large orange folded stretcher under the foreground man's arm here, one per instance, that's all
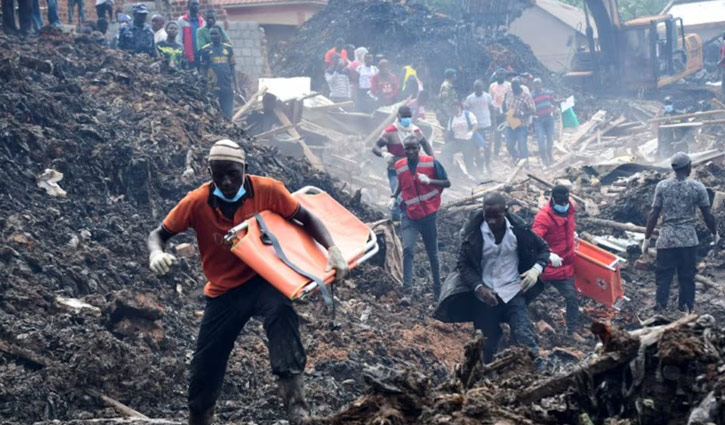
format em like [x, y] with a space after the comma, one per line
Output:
[282, 252]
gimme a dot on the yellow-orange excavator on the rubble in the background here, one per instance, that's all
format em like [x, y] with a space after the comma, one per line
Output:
[634, 56]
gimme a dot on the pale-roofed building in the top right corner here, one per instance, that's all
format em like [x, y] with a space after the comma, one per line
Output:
[705, 18]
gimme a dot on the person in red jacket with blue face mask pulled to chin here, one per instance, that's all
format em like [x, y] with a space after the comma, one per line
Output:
[555, 224]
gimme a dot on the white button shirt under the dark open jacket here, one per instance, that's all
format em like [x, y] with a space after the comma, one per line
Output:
[500, 263]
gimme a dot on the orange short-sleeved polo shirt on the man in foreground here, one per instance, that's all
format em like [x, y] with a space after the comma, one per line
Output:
[199, 210]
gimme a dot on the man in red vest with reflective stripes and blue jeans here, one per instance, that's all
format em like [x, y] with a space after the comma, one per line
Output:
[421, 179]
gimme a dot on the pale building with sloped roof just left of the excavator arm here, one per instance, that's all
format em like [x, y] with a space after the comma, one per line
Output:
[554, 31]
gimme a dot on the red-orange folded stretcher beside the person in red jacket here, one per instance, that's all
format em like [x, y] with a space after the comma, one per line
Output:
[597, 274]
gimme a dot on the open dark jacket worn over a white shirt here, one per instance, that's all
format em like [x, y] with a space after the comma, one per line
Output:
[457, 299]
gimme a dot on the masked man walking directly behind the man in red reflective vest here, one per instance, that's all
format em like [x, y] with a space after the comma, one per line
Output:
[392, 140]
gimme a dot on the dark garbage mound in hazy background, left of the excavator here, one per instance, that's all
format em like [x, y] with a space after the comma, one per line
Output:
[404, 35]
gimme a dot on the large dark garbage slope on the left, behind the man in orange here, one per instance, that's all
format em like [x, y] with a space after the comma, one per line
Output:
[86, 330]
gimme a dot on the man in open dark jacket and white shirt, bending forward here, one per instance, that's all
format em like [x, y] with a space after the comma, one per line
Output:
[499, 261]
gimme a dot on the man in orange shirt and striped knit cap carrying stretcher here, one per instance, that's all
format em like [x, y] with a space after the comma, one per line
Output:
[235, 292]
